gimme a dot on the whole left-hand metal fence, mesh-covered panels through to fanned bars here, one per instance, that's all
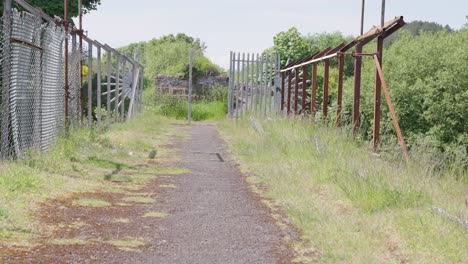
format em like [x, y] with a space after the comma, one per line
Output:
[35, 101]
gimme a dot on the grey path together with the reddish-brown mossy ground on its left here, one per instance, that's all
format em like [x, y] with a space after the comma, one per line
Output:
[212, 217]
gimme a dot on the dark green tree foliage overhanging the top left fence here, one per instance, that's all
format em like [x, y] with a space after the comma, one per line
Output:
[56, 7]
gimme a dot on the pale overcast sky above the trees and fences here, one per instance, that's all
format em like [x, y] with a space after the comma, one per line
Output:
[249, 25]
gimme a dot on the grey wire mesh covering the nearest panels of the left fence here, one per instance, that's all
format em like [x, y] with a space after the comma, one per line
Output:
[32, 94]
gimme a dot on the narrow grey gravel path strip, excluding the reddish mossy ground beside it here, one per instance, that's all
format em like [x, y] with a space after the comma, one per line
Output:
[213, 216]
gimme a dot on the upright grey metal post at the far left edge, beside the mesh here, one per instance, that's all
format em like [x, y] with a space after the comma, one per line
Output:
[6, 58]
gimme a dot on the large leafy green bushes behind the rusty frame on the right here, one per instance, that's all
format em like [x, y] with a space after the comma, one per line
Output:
[427, 77]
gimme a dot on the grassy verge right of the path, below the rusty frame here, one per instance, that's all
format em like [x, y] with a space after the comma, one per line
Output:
[351, 206]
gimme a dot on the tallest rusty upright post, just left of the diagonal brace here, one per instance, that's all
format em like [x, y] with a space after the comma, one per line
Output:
[377, 97]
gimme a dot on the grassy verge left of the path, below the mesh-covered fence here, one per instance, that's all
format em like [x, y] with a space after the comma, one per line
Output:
[82, 161]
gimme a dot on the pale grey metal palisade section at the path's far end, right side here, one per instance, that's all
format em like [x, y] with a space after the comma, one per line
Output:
[254, 84]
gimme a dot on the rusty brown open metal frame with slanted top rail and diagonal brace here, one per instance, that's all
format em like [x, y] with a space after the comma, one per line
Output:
[298, 71]
